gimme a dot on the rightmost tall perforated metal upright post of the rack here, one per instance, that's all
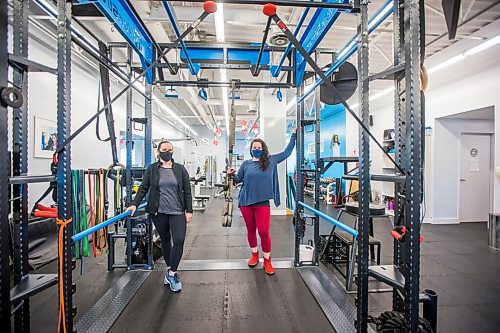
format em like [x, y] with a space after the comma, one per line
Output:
[412, 163]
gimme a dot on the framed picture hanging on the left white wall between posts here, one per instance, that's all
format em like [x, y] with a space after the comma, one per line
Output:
[45, 138]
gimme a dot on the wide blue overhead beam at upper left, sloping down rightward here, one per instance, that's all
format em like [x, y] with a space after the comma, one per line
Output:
[129, 26]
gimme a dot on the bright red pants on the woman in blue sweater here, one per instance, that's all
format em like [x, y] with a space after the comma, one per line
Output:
[258, 218]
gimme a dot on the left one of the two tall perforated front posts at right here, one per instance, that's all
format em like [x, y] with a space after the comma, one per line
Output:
[364, 171]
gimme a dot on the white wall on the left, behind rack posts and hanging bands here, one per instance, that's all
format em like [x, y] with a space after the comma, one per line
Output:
[87, 151]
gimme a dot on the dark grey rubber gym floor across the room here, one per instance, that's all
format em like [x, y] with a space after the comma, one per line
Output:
[456, 262]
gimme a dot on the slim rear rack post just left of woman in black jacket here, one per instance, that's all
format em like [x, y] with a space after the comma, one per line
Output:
[129, 146]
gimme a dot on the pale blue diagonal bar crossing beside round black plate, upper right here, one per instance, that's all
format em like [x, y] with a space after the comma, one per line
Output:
[352, 46]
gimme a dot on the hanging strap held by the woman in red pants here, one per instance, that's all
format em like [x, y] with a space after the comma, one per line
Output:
[227, 213]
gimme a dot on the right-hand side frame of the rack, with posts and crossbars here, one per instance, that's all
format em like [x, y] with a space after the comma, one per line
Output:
[409, 54]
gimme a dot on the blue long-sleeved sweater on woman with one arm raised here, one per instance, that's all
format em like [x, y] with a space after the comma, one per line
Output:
[261, 185]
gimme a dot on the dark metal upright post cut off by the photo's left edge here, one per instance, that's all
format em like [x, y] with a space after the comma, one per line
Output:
[5, 321]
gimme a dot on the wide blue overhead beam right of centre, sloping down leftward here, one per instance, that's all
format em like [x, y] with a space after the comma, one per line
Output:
[317, 29]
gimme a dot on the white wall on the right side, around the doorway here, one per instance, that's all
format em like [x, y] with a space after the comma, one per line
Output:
[470, 84]
